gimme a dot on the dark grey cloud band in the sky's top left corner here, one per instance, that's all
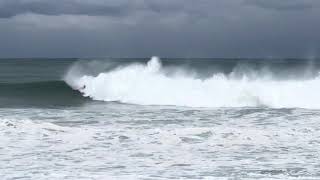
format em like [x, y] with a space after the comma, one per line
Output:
[9, 8]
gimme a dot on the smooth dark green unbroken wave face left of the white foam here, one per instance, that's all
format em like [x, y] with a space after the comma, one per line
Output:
[45, 93]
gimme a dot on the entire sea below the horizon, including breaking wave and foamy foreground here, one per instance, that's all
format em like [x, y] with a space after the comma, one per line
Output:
[142, 118]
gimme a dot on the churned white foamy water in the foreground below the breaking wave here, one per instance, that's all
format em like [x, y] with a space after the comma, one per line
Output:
[159, 143]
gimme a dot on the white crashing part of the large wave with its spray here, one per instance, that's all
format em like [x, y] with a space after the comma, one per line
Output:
[149, 84]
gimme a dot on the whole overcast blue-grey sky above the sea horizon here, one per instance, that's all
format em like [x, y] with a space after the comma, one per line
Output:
[167, 28]
